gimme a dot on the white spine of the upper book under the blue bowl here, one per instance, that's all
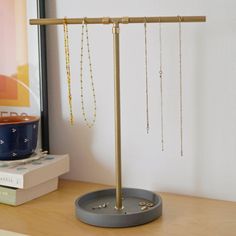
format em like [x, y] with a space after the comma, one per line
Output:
[10, 180]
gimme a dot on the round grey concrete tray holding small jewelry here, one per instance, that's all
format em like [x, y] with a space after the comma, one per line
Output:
[98, 208]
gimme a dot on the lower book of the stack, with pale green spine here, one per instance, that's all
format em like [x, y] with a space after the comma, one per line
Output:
[15, 197]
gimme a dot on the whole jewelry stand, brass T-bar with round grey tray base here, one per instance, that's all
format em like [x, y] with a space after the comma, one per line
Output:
[119, 207]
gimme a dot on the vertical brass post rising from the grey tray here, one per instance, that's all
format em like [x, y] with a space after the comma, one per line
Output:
[116, 52]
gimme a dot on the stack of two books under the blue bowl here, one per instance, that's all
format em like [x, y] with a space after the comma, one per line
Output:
[22, 181]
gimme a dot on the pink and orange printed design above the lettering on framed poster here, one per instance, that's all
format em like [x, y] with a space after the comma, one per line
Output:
[14, 70]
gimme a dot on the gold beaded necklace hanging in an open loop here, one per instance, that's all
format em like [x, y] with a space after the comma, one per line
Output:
[89, 124]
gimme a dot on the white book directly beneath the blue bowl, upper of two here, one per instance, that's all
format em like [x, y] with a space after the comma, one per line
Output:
[33, 173]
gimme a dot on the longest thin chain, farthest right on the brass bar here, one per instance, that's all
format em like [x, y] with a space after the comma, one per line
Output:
[180, 88]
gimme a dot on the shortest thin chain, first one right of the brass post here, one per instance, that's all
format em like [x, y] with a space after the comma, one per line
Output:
[146, 74]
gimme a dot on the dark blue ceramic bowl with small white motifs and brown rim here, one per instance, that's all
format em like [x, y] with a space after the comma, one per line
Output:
[18, 137]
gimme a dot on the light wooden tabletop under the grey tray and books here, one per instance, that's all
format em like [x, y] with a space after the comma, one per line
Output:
[53, 214]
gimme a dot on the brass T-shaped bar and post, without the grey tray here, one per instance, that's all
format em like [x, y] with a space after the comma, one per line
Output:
[115, 30]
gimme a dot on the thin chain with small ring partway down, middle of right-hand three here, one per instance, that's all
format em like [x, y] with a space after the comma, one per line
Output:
[161, 88]
